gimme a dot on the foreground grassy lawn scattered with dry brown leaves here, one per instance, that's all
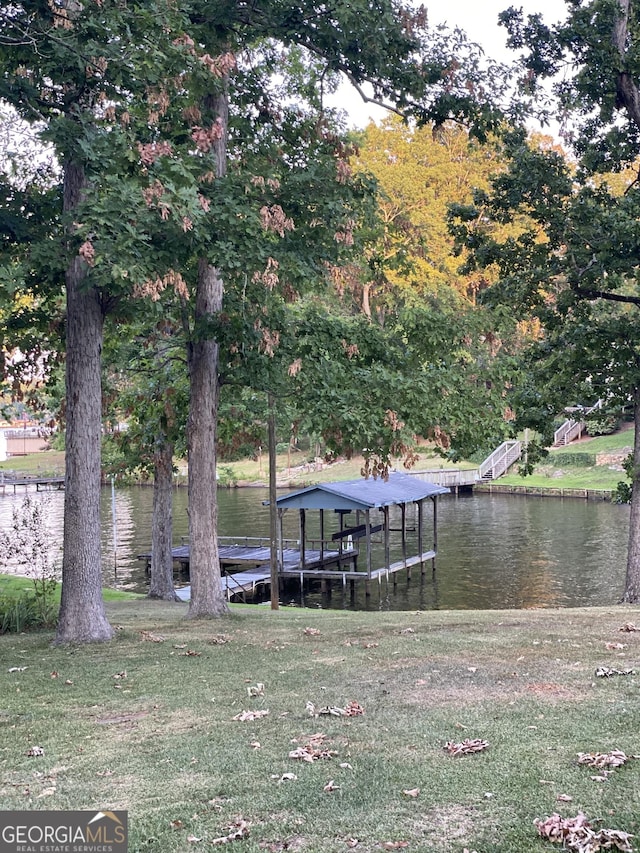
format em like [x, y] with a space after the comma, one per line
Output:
[146, 723]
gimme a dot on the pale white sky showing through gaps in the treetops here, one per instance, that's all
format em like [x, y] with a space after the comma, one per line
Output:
[479, 19]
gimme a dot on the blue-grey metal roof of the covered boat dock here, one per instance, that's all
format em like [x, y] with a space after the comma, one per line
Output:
[362, 494]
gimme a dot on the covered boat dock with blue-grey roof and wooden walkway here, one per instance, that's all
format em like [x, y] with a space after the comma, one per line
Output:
[360, 525]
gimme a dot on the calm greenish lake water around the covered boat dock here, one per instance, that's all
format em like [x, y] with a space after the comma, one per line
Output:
[494, 551]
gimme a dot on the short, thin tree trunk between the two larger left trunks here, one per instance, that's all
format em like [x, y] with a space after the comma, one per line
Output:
[162, 523]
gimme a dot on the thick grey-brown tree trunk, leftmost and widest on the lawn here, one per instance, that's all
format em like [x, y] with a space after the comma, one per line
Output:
[82, 613]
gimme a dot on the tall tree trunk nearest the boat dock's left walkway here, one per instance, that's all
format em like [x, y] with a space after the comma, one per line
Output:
[207, 597]
